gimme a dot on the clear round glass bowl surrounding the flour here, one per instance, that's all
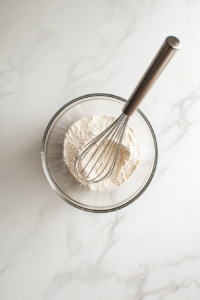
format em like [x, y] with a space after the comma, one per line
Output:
[61, 179]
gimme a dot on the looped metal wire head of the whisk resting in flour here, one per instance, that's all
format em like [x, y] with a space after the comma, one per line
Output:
[98, 159]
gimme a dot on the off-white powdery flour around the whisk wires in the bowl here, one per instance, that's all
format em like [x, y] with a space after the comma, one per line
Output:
[84, 130]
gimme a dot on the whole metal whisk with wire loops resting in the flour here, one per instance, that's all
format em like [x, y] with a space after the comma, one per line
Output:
[98, 159]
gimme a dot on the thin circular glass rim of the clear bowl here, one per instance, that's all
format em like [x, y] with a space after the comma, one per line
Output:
[56, 187]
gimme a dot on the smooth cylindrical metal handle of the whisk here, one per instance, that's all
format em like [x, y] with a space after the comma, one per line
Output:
[167, 50]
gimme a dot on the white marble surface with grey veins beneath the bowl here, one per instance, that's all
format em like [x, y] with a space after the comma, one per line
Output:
[51, 52]
